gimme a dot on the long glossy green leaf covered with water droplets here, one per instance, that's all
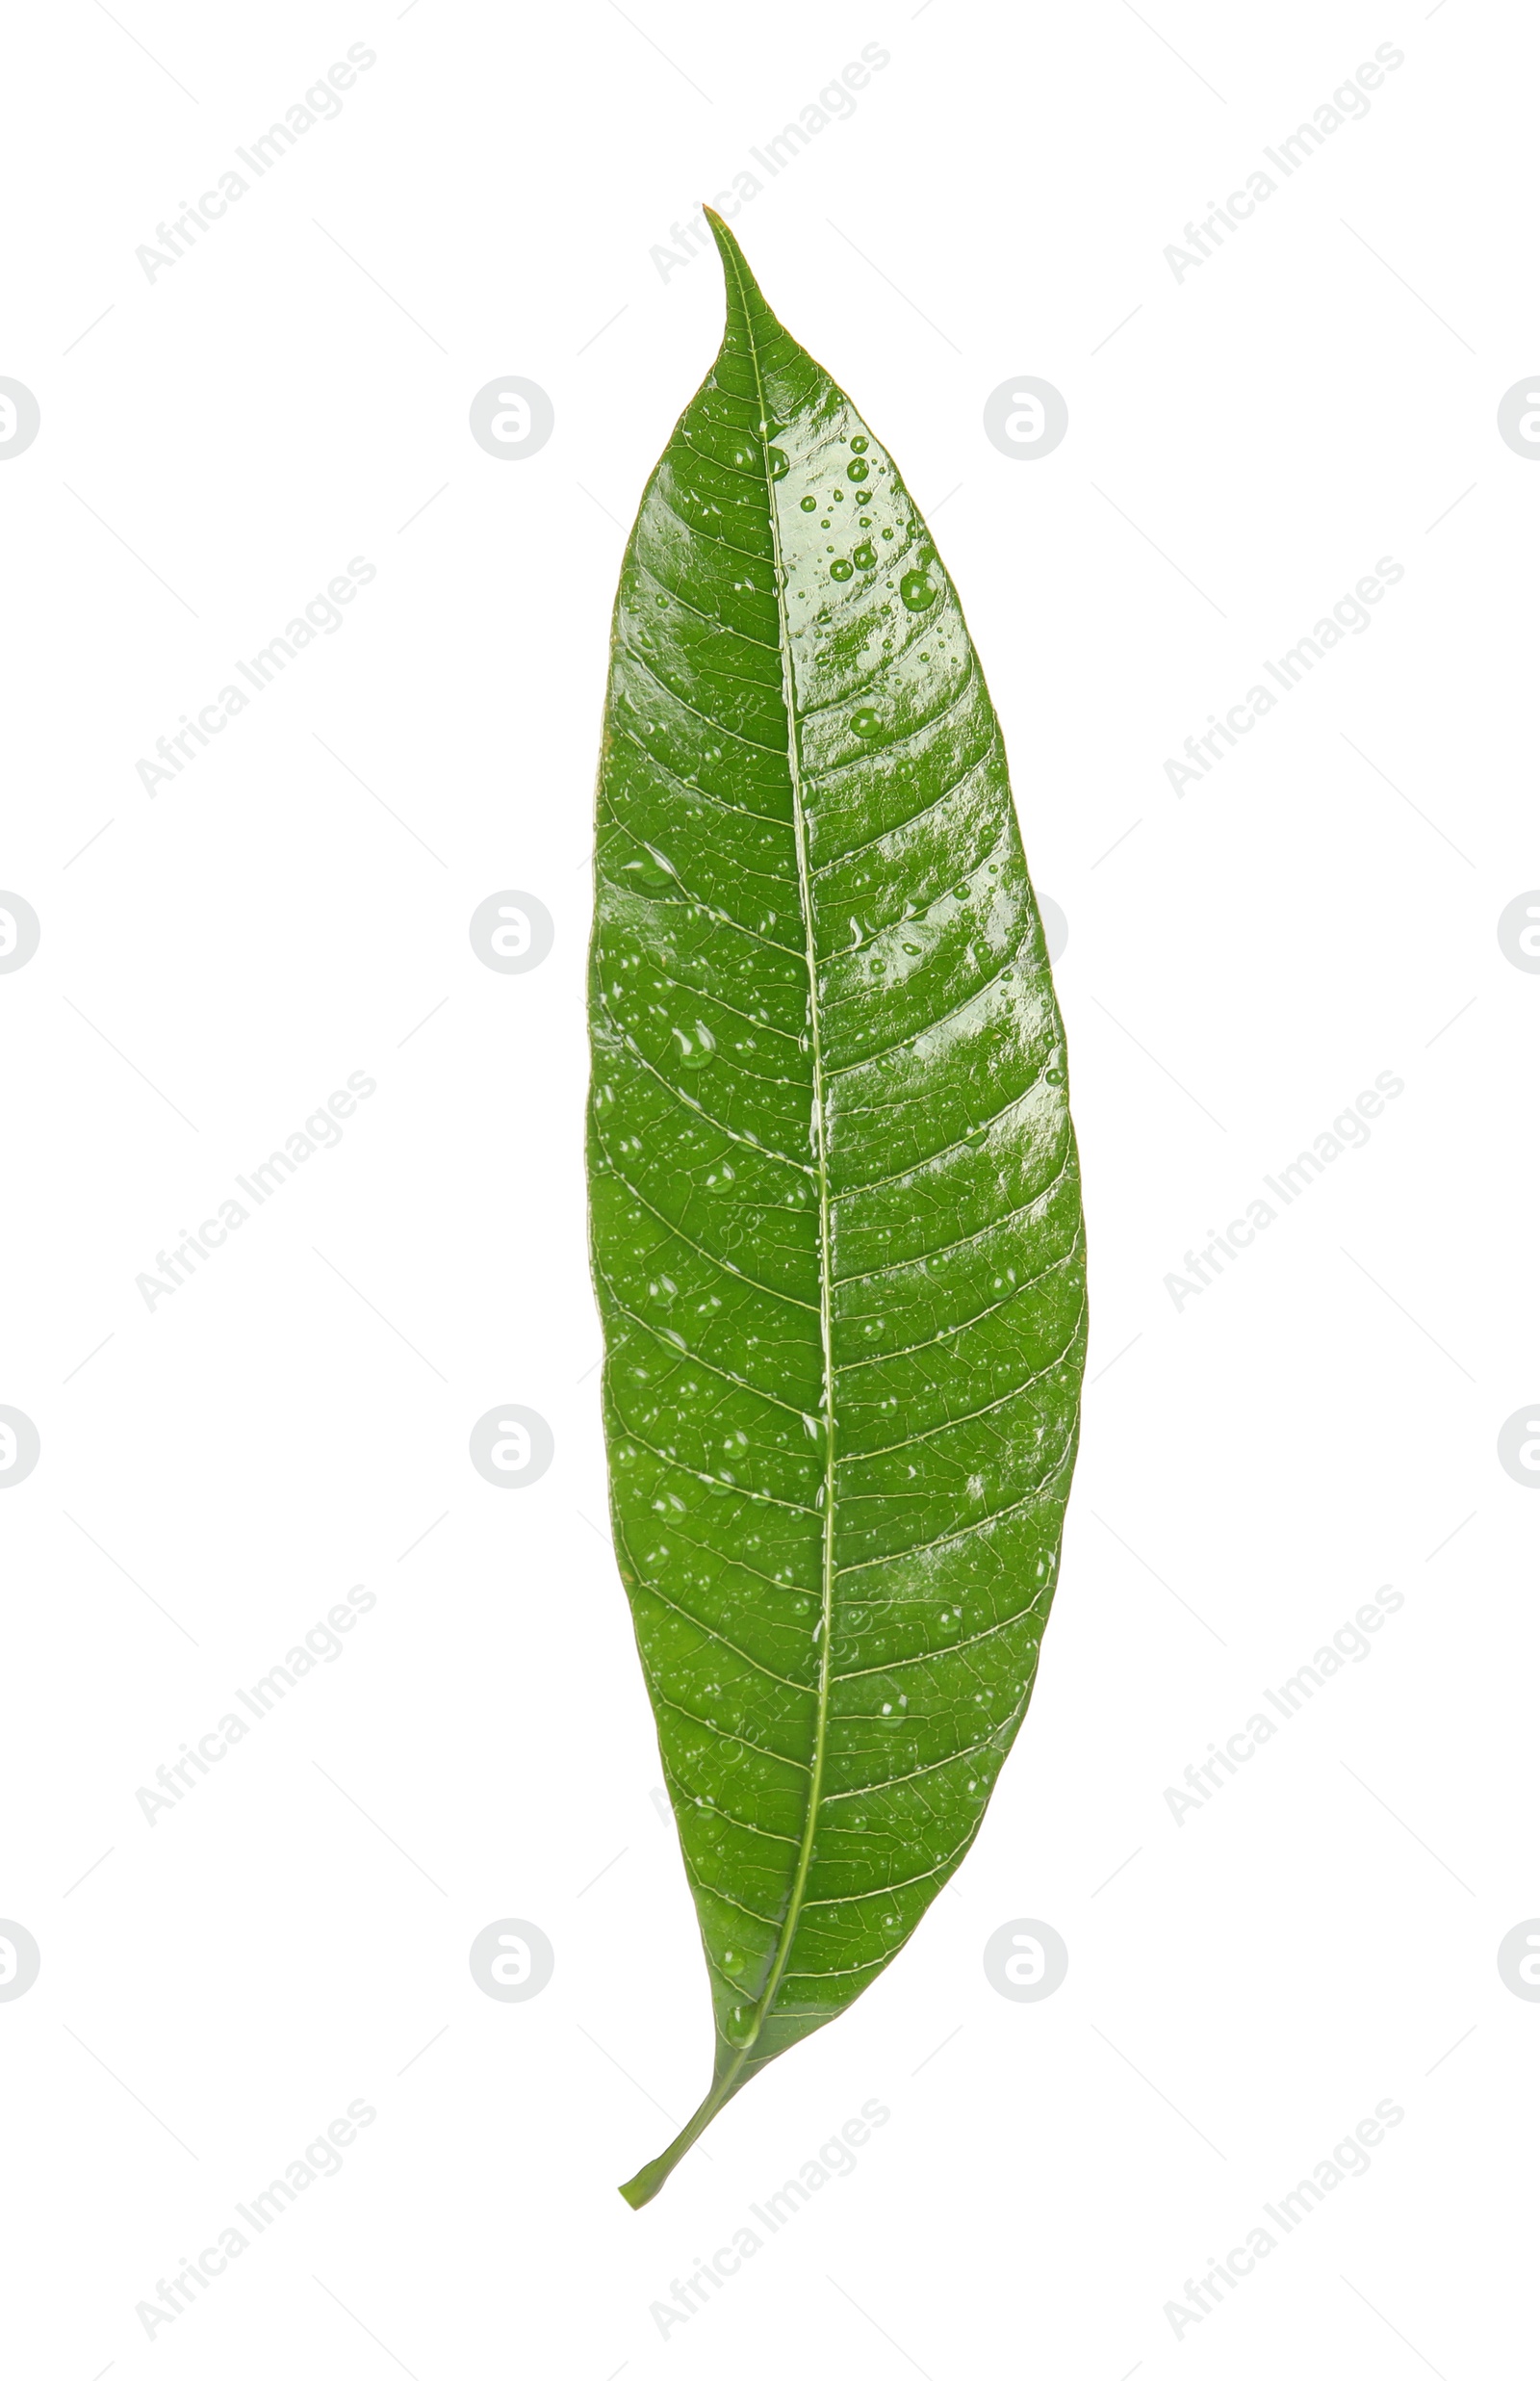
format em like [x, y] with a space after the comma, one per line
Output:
[834, 1194]
